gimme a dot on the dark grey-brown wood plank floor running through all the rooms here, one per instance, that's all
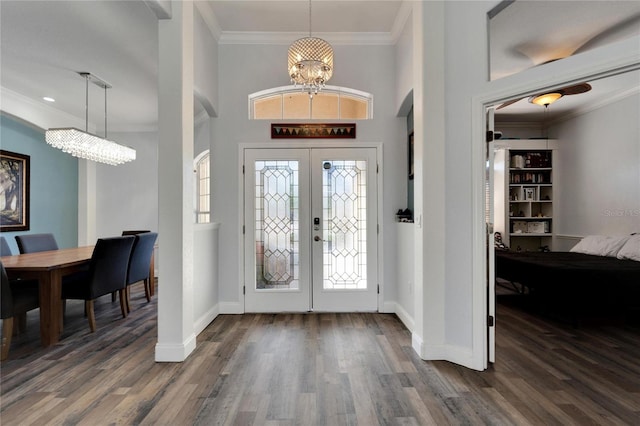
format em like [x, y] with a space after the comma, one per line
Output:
[319, 369]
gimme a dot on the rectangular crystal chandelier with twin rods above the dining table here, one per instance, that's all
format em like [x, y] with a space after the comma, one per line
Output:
[85, 145]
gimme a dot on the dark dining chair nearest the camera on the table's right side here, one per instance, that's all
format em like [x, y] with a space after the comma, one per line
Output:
[107, 273]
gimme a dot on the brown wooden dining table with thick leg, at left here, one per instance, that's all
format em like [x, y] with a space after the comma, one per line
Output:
[48, 267]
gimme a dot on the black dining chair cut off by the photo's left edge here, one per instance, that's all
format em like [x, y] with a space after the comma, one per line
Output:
[14, 302]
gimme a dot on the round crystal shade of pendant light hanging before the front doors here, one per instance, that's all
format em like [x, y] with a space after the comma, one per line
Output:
[310, 63]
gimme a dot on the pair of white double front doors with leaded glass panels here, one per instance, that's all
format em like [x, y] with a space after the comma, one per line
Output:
[310, 239]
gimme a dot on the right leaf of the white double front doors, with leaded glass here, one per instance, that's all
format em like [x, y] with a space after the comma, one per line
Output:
[344, 250]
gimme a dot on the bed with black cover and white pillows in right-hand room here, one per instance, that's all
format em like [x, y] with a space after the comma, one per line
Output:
[576, 282]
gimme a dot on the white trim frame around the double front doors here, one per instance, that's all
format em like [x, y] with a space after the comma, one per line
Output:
[295, 144]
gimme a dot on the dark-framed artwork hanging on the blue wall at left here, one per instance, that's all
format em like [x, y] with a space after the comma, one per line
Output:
[14, 191]
